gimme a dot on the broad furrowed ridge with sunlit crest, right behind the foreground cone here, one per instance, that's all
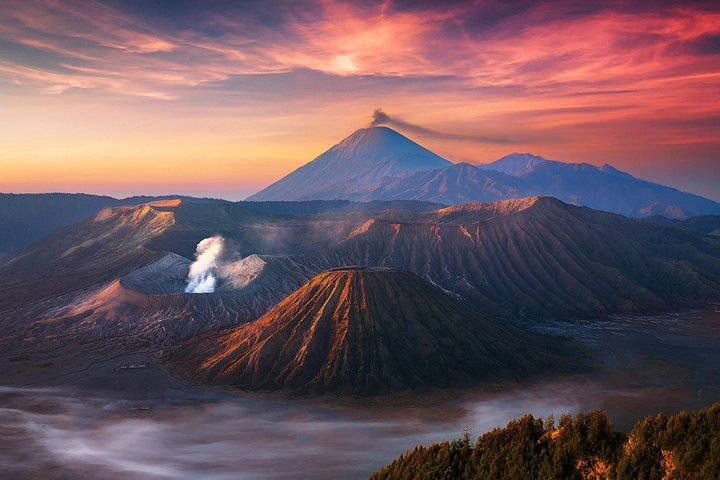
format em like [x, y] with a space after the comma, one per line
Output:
[539, 257]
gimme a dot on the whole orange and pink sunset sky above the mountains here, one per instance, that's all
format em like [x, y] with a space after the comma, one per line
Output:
[220, 98]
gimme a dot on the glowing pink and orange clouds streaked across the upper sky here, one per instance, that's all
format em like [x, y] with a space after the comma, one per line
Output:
[539, 74]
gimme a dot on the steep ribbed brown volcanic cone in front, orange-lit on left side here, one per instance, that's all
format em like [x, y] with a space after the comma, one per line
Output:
[363, 331]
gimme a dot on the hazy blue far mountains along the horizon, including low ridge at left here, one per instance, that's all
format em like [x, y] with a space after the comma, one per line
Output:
[378, 164]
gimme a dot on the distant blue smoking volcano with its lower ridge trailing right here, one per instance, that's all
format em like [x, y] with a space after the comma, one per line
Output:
[378, 163]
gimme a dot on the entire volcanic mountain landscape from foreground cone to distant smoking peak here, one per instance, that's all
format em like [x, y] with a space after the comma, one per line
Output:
[313, 295]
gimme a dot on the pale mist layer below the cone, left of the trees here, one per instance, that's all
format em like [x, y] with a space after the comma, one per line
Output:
[53, 432]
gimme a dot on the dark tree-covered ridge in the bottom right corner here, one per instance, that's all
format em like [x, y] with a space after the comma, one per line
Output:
[682, 446]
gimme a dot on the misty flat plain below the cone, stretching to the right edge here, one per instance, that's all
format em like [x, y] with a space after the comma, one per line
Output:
[660, 364]
